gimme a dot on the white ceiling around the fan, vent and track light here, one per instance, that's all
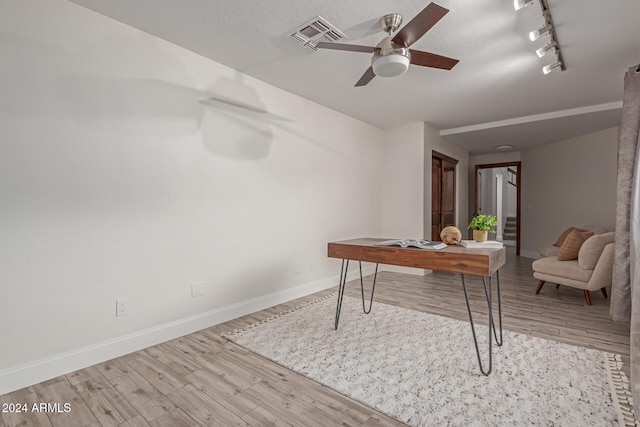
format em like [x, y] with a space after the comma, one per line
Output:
[496, 95]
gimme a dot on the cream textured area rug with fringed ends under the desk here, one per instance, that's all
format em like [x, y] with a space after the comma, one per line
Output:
[422, 369]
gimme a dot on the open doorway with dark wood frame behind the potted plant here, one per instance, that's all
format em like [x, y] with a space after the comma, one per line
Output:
[497, 192]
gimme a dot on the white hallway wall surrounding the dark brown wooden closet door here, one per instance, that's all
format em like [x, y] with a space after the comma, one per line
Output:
[434, 142]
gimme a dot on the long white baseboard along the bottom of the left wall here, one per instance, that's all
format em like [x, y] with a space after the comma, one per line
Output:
[21, 376]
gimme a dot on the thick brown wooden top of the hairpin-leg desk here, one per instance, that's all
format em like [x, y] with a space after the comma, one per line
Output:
[455, 259]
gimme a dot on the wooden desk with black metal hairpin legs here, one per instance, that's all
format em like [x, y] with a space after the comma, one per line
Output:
[455, 259]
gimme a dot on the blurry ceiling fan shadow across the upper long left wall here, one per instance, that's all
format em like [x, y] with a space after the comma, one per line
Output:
[134, 88]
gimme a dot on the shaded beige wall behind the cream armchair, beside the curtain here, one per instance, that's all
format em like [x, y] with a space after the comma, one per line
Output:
[571, 182]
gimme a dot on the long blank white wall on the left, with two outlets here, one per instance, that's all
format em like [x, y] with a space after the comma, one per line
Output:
[116, 183]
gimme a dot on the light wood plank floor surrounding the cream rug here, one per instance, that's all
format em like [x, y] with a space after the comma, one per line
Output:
[202, 379]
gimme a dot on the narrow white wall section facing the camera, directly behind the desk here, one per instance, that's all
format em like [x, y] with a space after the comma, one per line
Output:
[403, 187]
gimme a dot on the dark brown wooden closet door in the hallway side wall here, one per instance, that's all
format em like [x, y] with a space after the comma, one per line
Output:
[443, 193]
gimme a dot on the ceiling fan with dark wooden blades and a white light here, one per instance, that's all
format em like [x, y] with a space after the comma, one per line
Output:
[392, 56]
